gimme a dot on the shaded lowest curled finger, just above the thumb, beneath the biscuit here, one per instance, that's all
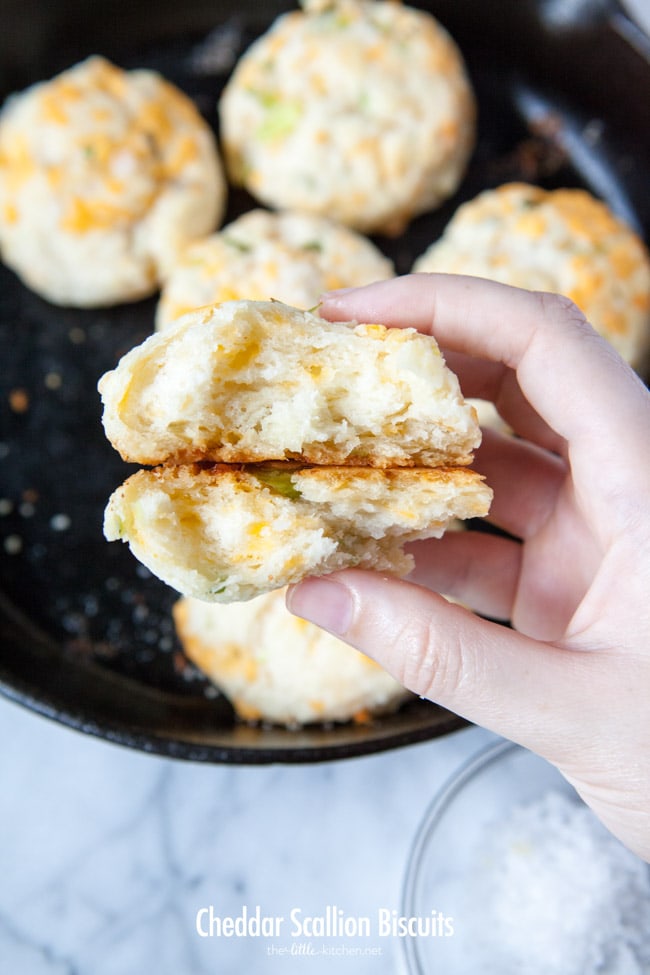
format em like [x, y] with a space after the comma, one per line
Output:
[478, 569]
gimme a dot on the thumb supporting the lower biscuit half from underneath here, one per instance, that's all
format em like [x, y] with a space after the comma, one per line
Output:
[518, 687]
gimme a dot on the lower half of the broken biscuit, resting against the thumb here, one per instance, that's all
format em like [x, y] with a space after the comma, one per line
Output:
[223, 534]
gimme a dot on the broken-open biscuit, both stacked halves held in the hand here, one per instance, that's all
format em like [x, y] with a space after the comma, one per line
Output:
[286, 446]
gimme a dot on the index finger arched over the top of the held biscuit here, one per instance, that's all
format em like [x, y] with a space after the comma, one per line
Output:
[571, 377]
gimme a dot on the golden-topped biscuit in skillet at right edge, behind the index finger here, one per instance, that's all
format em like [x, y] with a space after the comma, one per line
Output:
[564, 241]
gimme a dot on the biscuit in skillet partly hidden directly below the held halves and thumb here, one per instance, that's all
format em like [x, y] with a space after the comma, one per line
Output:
[277, 668]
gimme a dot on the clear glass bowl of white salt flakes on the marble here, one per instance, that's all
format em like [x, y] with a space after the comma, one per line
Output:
[511, 874]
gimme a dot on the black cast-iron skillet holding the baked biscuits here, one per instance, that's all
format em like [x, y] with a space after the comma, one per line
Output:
[85, 632]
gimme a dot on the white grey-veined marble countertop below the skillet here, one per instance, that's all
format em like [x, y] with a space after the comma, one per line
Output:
[106, 855]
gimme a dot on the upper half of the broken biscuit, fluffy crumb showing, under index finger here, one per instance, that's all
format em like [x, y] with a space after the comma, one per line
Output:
[249, 381]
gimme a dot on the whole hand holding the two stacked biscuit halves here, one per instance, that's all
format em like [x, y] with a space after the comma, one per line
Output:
[571, 679]
